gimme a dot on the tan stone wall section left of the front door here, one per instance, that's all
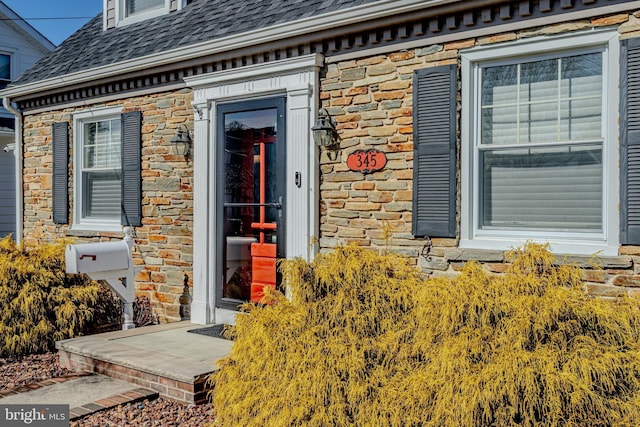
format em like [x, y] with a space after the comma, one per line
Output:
[163, 245]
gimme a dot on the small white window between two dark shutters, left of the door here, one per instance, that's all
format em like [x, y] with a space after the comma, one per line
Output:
[97, 195]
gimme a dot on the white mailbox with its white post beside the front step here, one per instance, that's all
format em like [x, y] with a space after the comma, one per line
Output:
[110, 262]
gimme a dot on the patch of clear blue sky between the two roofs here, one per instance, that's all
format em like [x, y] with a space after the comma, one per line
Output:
[56, 19]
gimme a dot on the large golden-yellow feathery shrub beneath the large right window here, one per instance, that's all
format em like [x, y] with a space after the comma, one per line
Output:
[365, 342]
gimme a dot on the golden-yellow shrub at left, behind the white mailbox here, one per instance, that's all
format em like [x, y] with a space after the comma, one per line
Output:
[39, 302]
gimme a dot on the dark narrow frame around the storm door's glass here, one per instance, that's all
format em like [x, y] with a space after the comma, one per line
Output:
[239, 106]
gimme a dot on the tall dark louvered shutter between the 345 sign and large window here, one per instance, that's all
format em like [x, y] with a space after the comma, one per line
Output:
[434, 163]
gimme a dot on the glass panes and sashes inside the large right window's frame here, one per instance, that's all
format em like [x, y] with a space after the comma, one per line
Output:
[540, 147]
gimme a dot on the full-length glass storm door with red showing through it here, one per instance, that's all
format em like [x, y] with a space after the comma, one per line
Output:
[250, 188]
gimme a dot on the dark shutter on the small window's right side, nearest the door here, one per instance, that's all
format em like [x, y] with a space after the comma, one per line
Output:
[131, 169]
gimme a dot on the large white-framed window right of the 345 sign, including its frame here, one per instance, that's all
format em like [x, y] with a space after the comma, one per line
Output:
[539, 153]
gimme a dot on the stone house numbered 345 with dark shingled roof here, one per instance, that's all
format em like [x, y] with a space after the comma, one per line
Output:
[496, 122]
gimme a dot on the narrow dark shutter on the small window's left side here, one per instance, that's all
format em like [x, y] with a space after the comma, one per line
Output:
[60, 193]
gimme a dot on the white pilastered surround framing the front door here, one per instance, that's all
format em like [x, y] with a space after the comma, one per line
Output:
[297, 80]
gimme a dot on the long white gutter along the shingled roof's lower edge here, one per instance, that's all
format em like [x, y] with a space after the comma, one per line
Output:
[384, 9]
